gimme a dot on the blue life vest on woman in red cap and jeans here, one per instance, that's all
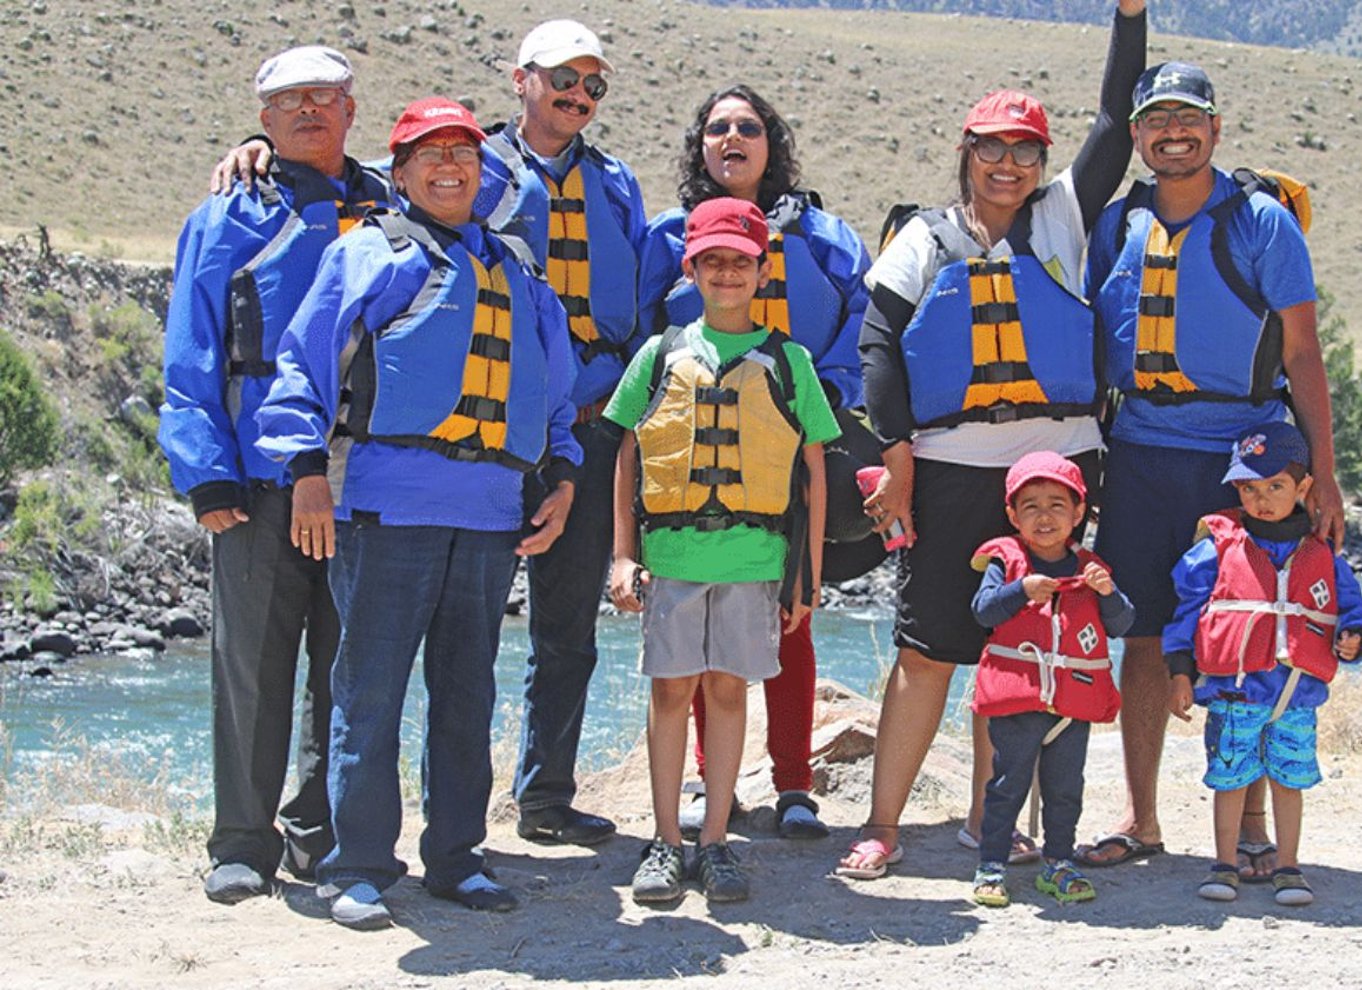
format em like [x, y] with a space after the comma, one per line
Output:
[462, 371]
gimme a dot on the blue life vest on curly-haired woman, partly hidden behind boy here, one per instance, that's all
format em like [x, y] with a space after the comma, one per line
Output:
[799, 300]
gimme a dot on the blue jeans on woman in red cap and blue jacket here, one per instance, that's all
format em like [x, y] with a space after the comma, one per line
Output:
[396, 586]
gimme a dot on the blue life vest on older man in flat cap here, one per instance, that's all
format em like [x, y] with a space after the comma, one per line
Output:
[266, 292]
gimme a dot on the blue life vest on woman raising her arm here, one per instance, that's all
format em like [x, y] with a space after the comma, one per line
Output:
[998, 341]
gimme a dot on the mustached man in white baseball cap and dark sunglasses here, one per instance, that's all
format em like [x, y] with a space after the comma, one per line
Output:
[589, 234]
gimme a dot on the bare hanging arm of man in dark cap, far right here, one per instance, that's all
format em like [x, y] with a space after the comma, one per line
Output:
[1304, 367]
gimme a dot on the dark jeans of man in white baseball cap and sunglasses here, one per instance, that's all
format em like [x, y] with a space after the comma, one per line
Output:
[566, 586]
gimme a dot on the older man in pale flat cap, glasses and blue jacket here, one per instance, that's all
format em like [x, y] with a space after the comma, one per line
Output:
[243, 266]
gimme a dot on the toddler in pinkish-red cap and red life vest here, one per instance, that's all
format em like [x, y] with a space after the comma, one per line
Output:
[1045, 675]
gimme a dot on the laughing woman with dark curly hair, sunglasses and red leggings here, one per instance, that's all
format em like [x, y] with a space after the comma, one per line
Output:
[739, 146]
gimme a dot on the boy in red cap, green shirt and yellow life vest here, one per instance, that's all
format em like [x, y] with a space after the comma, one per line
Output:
[721, 412]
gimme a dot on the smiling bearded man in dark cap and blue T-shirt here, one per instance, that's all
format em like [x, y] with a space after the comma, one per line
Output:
[1207, 295]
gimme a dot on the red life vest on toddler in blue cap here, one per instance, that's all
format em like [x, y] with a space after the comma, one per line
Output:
[1235, 637]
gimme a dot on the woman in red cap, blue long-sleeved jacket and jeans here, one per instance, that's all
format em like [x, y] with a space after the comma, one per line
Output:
[423, 377]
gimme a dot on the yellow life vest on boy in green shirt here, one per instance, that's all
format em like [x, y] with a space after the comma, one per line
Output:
[718, 447]
